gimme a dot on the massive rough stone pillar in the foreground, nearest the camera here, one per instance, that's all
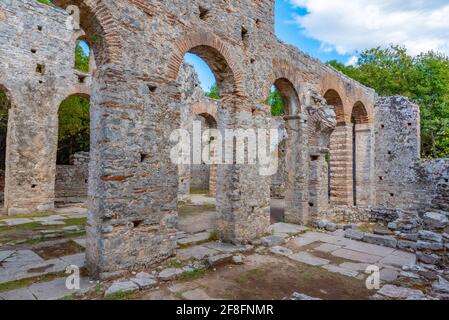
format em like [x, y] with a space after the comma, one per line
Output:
[133, 182]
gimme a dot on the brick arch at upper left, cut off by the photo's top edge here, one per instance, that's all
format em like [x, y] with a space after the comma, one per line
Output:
[96, 15]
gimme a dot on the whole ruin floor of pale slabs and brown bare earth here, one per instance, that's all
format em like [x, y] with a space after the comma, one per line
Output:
[324, 265]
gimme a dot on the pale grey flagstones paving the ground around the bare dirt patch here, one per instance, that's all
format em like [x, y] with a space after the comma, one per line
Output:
[329, 251]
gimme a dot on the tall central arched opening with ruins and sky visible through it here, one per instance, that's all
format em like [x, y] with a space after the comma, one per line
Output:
[199, 182]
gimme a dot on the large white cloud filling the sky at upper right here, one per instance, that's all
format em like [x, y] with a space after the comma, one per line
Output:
[350, 25]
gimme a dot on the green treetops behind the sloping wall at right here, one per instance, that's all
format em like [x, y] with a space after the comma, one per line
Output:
[424, 79]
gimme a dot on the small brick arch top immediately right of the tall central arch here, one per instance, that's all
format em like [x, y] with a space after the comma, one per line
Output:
[288, 81]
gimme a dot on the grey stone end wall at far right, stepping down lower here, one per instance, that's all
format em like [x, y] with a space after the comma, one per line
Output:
[403, 179]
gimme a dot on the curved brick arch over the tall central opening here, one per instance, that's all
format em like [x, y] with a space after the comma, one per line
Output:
[215, 53]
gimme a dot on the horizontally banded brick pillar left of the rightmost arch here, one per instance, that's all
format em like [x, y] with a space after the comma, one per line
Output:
[341, 166]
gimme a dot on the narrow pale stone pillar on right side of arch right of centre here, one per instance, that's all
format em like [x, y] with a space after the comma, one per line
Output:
[297, 158]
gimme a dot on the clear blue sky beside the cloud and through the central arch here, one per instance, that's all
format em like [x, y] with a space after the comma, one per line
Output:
[287, 30]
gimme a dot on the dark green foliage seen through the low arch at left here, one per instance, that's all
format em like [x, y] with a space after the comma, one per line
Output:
[74, 128]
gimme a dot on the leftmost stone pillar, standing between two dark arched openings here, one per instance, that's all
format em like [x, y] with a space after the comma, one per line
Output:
[31, 152]
